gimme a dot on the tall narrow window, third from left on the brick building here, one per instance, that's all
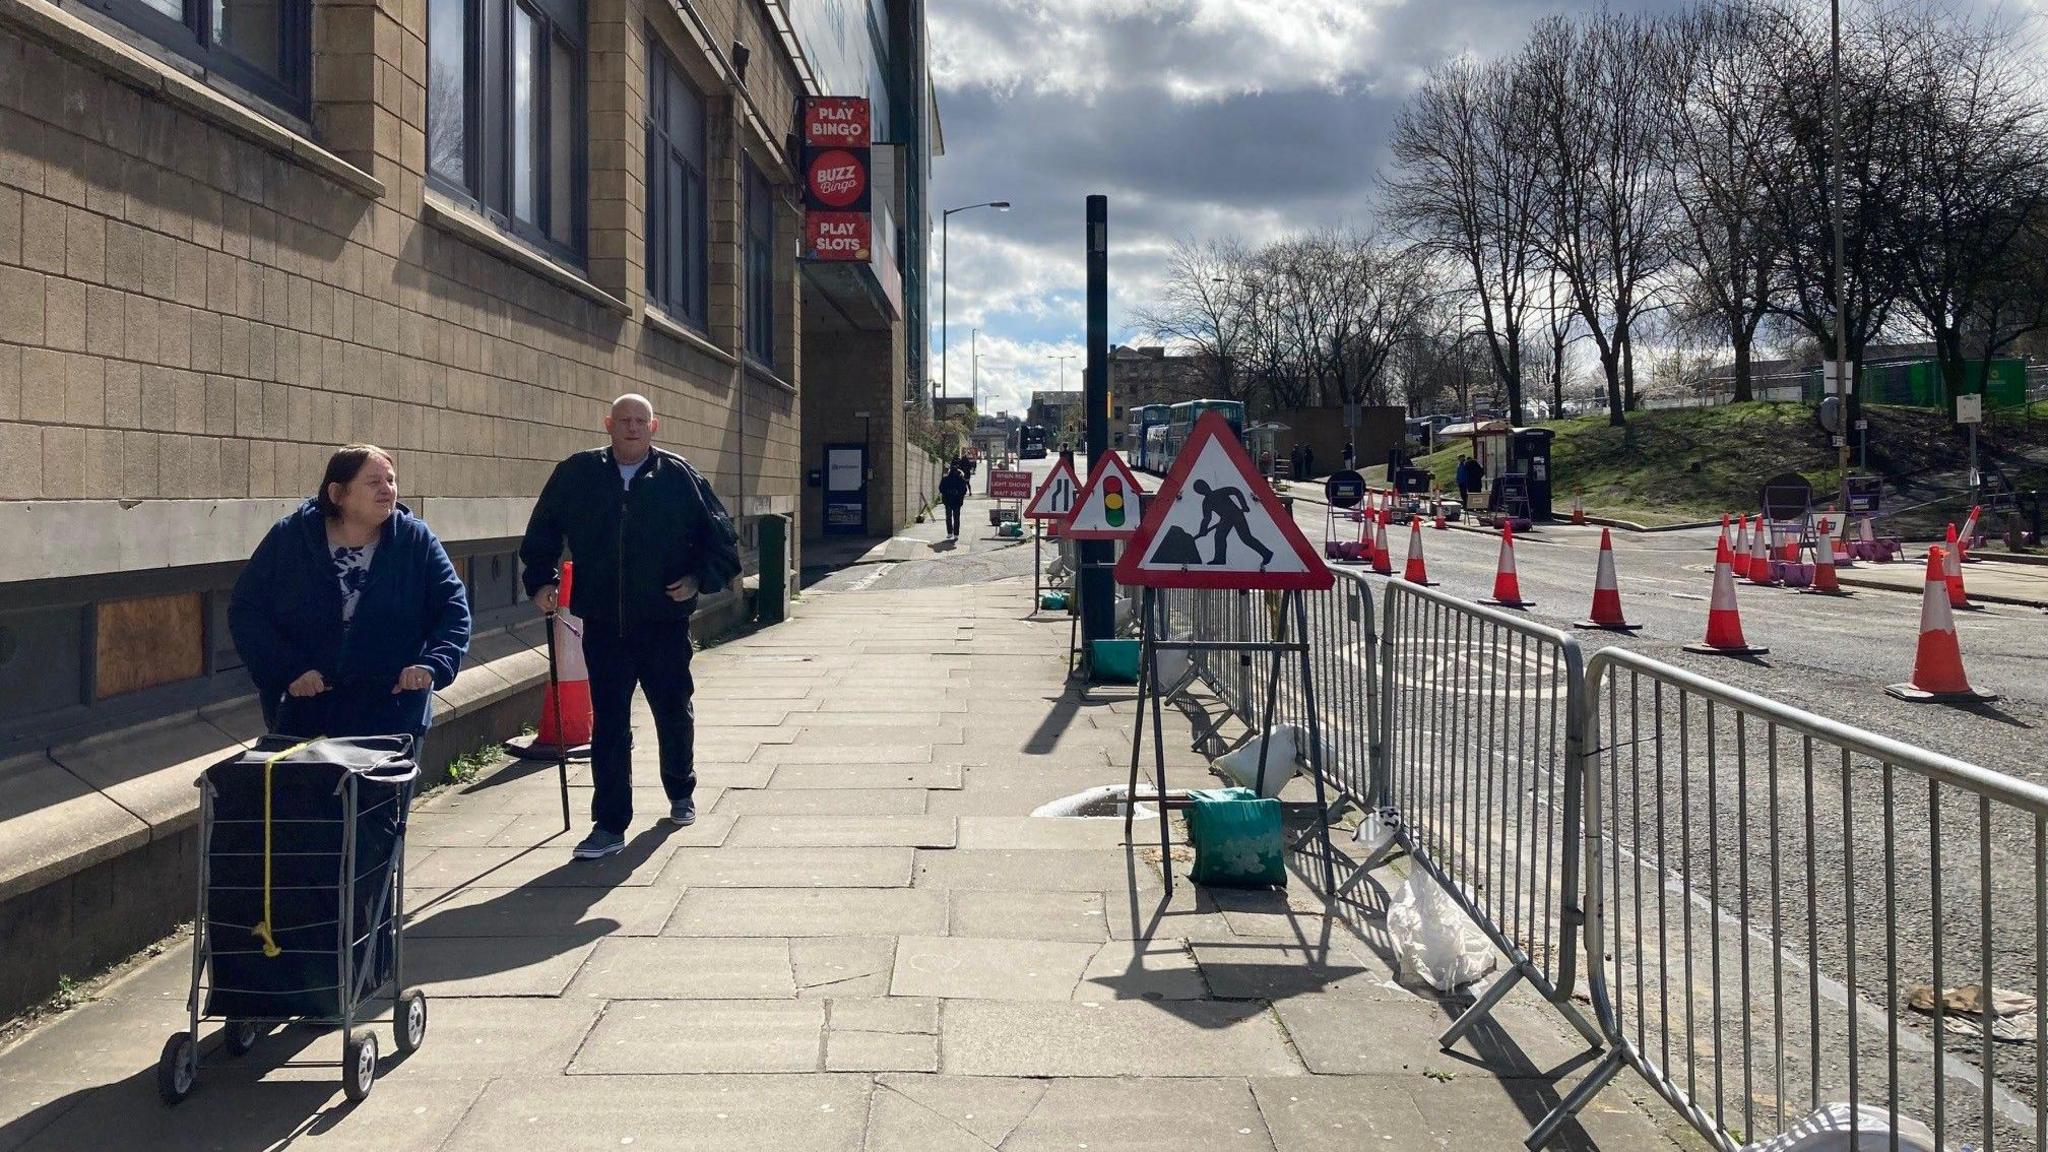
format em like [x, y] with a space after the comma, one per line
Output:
[677, 216]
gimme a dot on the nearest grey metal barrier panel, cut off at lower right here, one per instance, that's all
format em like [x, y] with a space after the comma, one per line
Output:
[1789, 913]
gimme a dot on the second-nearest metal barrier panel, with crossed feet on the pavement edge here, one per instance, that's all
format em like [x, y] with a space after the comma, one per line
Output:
[1482, 741]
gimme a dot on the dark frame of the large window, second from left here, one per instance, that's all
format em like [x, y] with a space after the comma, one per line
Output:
[488, 149]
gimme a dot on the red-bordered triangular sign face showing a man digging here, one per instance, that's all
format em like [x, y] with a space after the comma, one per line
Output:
[1220, 526]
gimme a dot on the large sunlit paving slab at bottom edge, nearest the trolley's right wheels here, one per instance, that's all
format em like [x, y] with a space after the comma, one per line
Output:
[667, 1114]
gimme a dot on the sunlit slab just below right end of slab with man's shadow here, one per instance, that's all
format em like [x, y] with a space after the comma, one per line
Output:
[685, 969]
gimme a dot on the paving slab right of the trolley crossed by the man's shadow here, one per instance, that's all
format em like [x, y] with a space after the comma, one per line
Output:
[540, 911]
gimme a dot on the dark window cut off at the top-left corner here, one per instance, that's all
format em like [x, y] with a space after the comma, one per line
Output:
[263, 46]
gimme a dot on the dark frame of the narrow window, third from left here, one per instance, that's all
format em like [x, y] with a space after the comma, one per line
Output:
[693, 216]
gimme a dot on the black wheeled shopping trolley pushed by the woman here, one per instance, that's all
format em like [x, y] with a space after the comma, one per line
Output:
[302, 899]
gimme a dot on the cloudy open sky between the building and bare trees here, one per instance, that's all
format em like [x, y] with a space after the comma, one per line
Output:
[1197, 118]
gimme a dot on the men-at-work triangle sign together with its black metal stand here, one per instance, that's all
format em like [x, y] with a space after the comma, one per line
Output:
[1215, 497]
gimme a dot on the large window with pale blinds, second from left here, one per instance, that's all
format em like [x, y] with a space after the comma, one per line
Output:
[503, 110]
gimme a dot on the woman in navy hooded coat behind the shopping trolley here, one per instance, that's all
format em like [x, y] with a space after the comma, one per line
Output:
[349, 614]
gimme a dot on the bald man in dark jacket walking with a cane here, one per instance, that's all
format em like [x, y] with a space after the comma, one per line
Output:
[648, 536]
